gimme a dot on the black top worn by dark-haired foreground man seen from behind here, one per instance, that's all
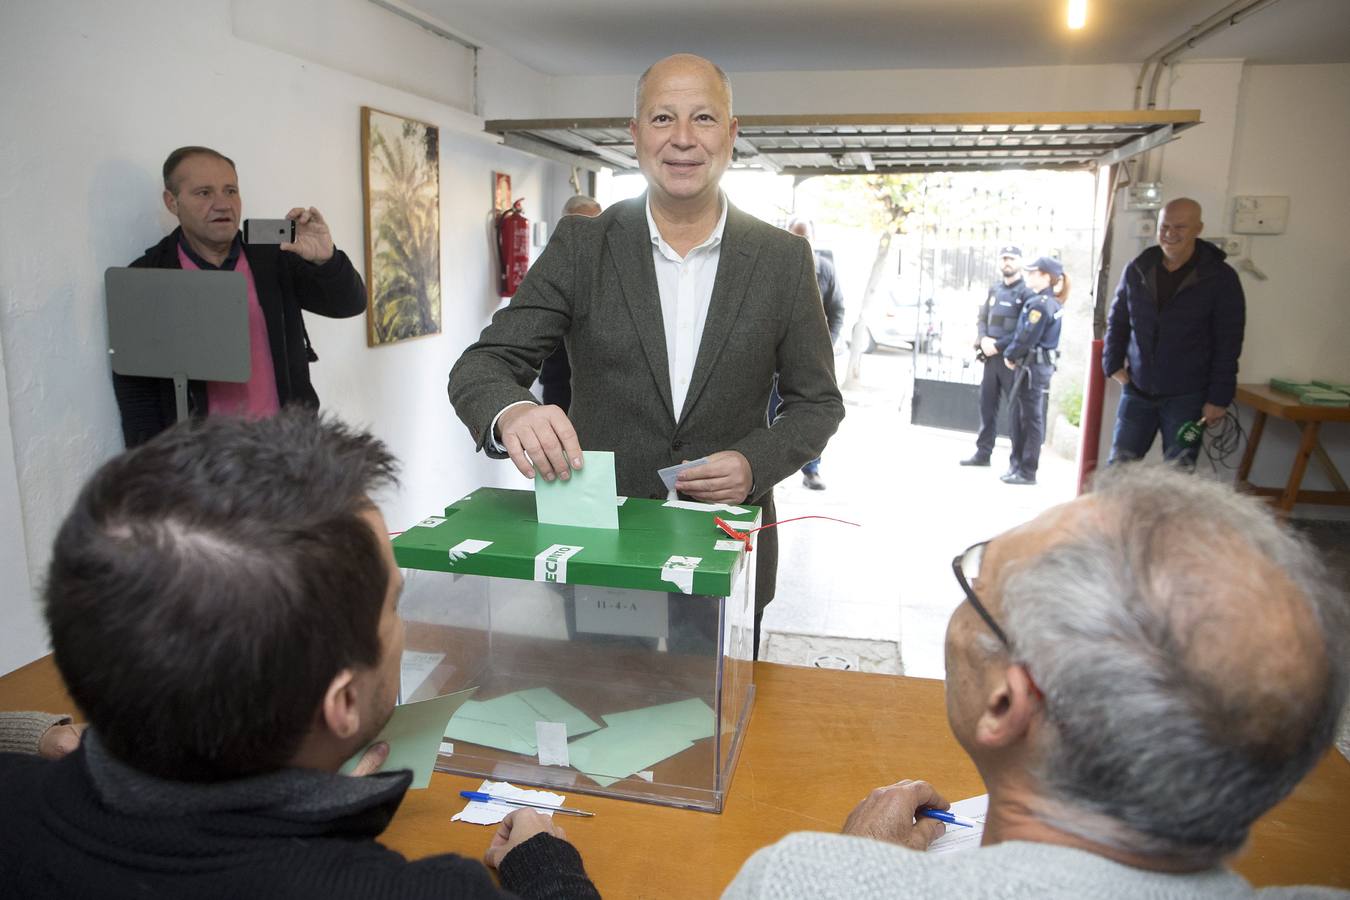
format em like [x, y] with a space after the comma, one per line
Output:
[90, 826]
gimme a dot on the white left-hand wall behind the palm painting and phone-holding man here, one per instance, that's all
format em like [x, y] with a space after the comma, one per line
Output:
[97, 95]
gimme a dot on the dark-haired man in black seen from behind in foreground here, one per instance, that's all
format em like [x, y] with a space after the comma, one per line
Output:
[223, 608]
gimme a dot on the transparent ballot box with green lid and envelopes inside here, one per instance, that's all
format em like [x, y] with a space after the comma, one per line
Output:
[616, 663]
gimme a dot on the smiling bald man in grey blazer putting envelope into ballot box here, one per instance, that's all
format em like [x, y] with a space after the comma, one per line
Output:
[676, 311]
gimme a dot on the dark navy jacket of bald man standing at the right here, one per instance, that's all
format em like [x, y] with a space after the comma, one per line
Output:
[1193, 343]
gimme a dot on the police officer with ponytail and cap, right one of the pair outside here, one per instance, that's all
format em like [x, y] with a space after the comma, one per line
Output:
[1032, 356]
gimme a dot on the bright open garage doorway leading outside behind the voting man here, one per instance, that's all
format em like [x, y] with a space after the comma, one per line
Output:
[878, 598]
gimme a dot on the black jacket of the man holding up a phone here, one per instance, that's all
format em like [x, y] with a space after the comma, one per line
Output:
[287, 284]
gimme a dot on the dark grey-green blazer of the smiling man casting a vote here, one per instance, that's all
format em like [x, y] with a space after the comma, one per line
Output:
[595, 289]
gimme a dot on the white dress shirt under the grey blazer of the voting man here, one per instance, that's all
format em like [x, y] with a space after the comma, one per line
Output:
[685, 285]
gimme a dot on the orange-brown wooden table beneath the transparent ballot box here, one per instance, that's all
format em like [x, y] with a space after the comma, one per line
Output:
[819, 741]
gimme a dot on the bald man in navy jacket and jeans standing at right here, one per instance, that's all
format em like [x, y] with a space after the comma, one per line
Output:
[1174, 338]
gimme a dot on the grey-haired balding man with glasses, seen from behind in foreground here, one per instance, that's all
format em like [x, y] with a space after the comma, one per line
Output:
[1139, 677]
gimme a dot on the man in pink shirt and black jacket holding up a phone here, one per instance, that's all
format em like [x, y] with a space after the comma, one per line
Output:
[286, 277]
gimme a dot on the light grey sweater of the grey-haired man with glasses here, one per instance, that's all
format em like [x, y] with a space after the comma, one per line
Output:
[817, 867]
